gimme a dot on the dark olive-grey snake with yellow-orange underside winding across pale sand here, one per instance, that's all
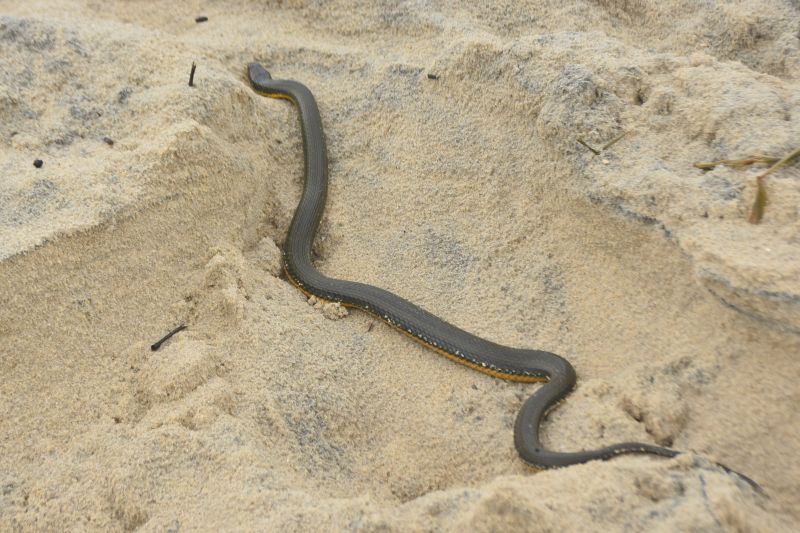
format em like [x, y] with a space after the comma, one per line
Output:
[556, 374]
